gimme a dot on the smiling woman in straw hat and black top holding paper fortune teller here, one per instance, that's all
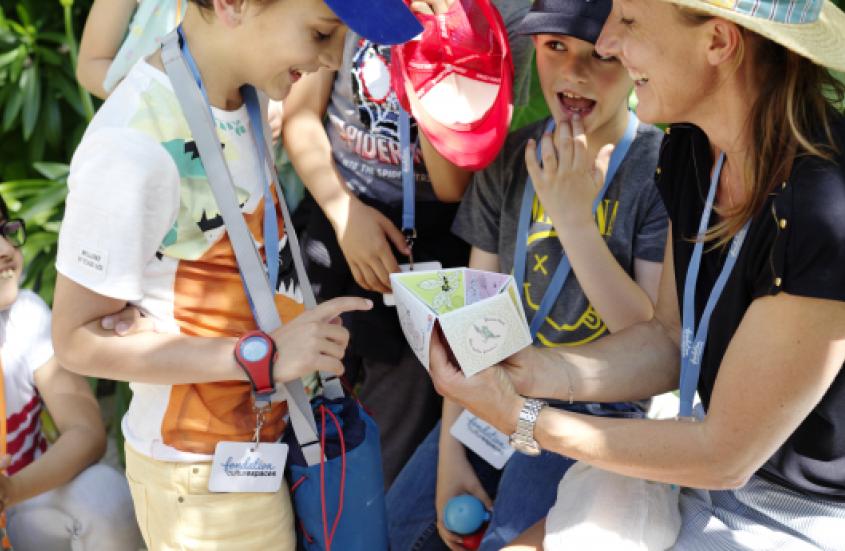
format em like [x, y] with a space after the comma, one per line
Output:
[752, 299]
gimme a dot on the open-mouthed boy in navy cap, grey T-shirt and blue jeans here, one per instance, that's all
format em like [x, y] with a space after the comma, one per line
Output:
[576, 189]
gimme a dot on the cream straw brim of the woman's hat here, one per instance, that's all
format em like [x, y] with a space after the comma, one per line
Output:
[822, 41]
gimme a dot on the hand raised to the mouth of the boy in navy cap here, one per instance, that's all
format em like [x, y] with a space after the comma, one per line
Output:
[569, 180]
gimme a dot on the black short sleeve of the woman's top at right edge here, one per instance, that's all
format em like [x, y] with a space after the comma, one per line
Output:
[809, 251]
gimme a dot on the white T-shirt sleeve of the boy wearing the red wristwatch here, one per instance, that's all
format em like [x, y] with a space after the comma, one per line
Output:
[123, 199]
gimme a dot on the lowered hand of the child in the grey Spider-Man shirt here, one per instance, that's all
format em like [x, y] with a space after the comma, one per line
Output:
[365, 236]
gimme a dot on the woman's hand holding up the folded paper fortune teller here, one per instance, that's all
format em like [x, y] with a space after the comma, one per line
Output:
[489, 394]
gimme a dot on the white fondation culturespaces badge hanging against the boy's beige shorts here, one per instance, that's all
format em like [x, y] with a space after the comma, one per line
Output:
[245, 467]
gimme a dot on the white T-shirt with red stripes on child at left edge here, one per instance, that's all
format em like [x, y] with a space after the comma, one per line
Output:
[25, 346]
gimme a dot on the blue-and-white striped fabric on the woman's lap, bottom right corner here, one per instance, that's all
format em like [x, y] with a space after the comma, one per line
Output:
[761, 516]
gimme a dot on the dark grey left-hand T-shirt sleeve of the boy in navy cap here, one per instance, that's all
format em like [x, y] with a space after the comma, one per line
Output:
[478, 219]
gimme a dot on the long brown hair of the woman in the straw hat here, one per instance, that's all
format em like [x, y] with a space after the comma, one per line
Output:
[796, 100]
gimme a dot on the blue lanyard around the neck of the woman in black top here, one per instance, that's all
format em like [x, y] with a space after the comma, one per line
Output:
[692, 341]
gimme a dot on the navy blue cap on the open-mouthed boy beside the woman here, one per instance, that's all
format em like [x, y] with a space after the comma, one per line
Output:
[582, 19]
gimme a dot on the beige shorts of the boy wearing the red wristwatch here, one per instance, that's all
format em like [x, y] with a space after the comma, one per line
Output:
[175, 510]
